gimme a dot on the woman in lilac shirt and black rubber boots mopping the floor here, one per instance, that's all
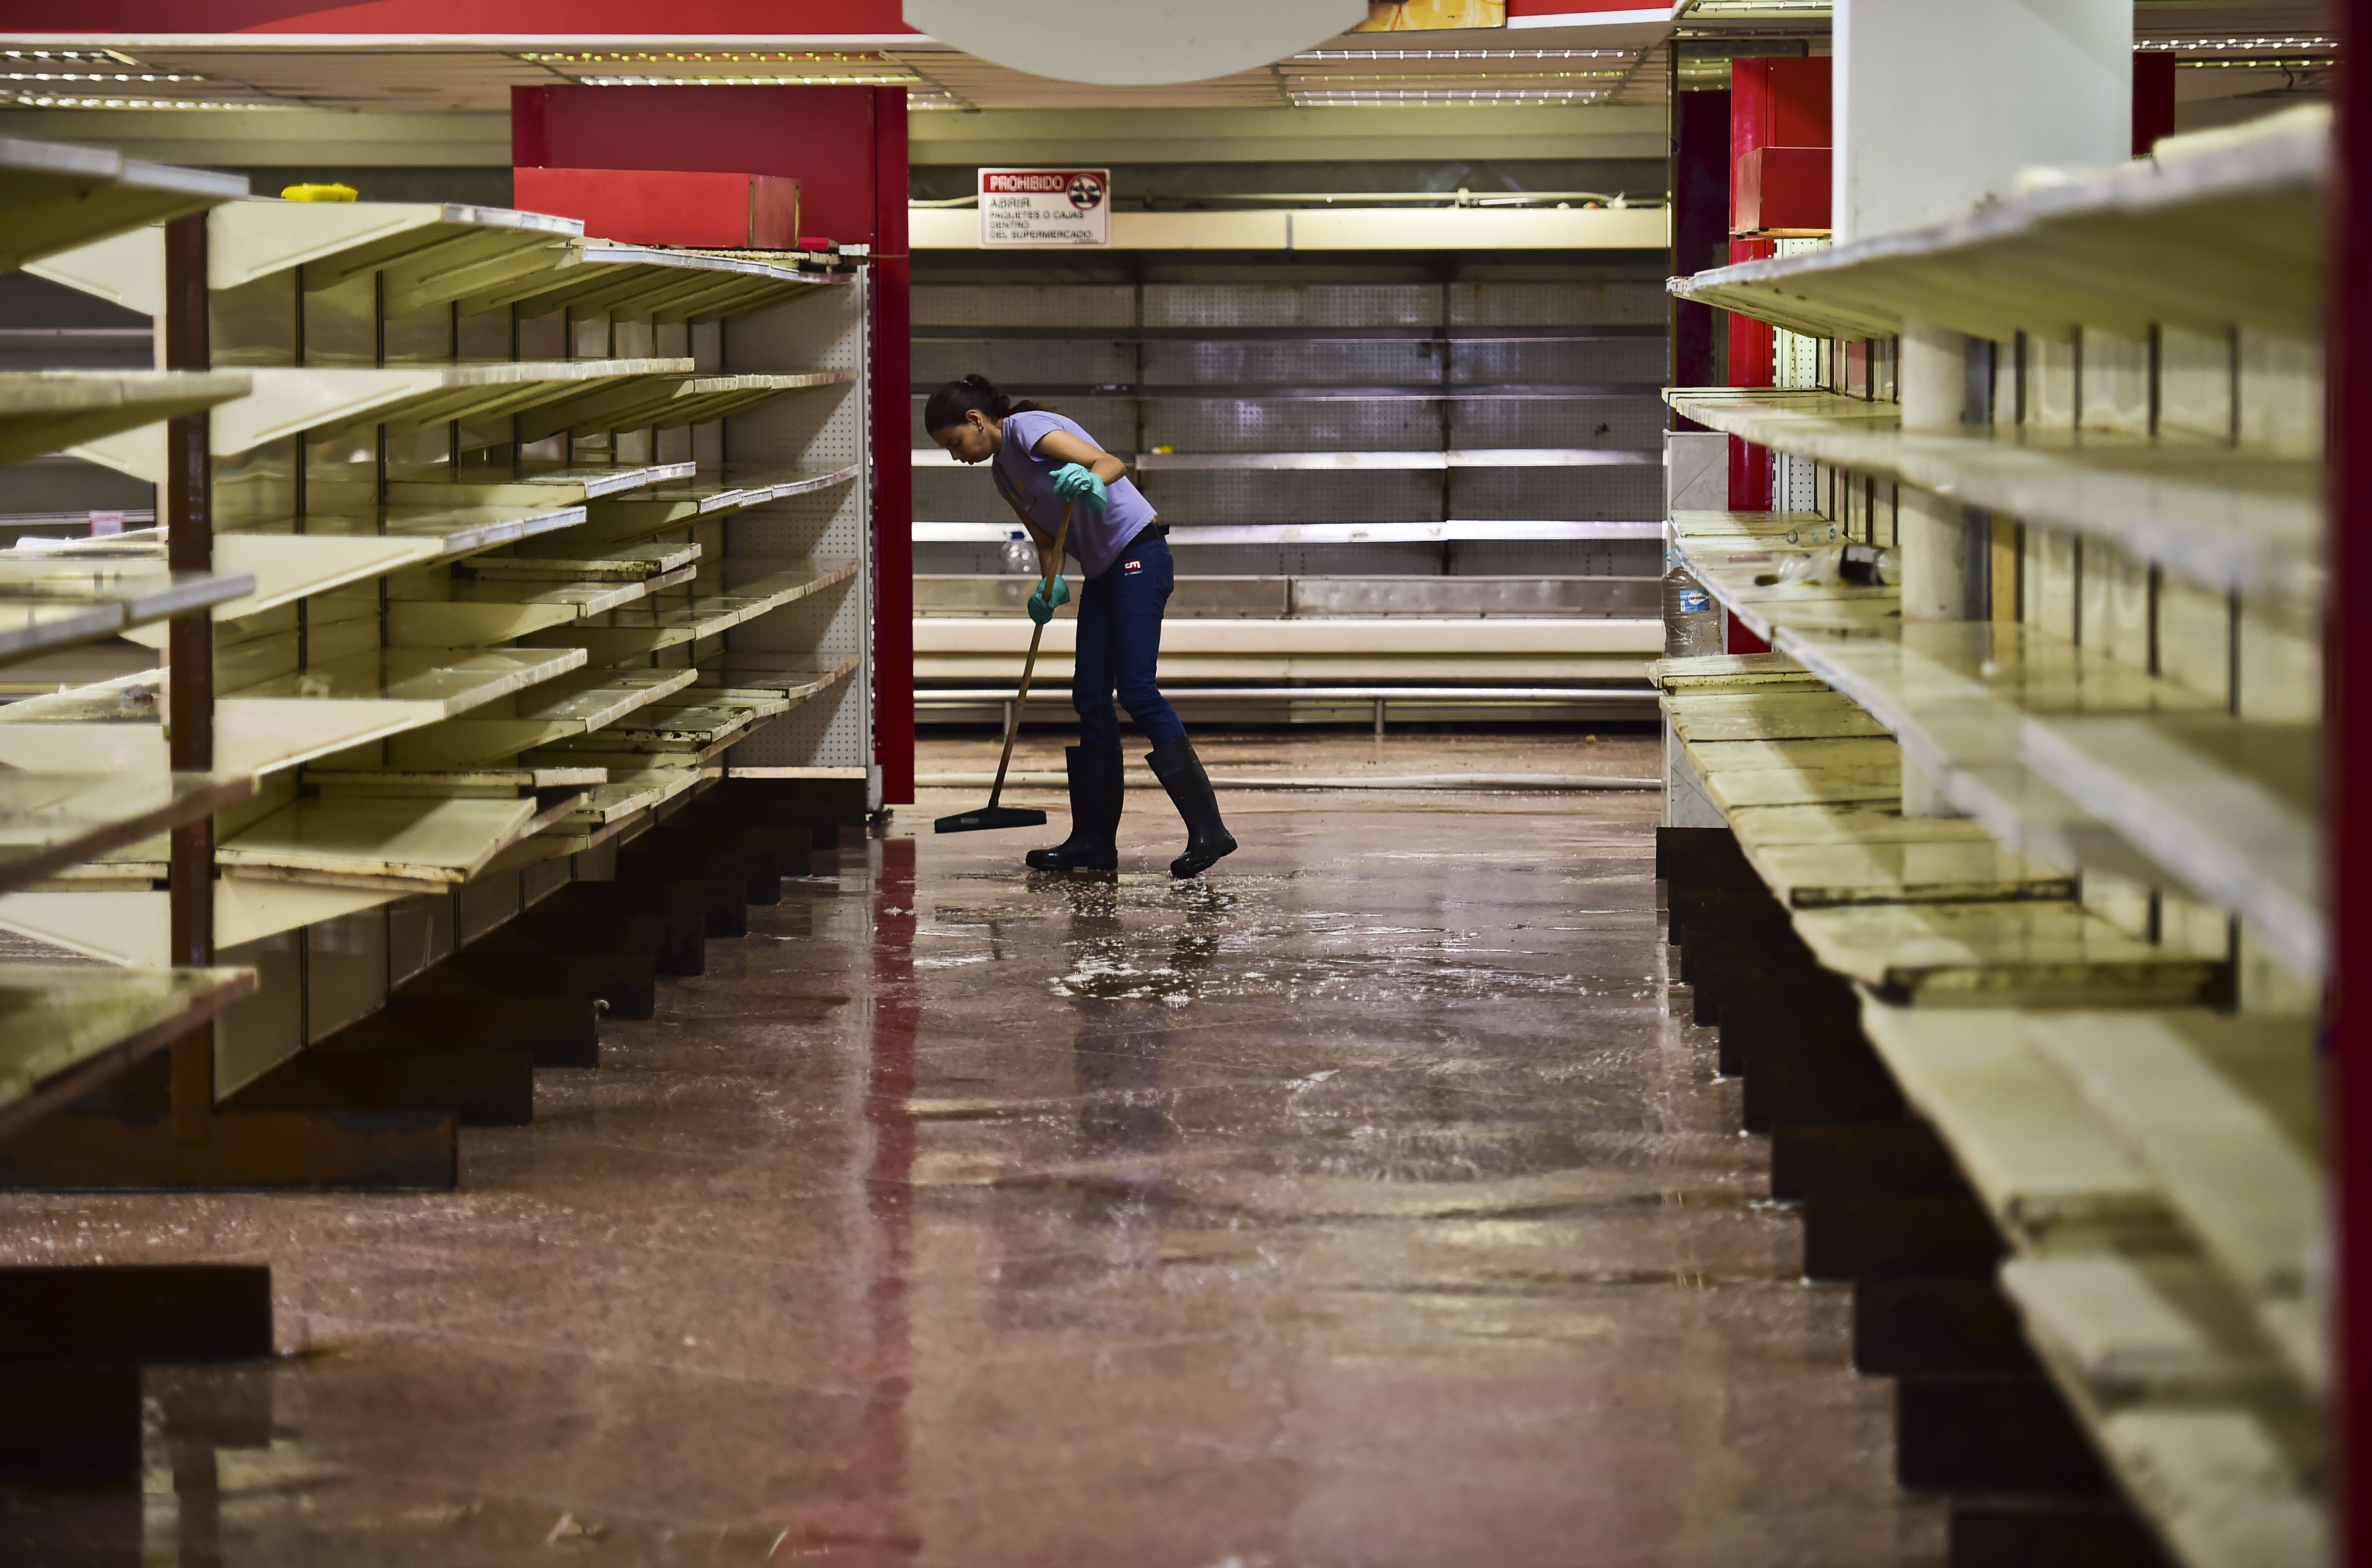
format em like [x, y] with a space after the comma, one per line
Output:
[1045, 461]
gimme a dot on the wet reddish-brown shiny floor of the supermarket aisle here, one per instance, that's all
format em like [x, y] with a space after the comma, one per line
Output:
[1367, 1204]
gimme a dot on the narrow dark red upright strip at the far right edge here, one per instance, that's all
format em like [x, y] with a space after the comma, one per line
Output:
[2349, 751]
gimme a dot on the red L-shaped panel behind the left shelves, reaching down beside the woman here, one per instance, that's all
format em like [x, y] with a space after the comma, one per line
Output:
[848, 151]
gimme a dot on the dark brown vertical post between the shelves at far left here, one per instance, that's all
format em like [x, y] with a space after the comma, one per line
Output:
[191, 658]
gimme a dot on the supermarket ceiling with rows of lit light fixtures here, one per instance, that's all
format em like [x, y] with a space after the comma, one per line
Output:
[2233, 58]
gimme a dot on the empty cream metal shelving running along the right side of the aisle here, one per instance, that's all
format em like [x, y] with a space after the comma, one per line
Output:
[2072, 848]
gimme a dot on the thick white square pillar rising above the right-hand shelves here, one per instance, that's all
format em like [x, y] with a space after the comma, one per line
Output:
[1941, 103]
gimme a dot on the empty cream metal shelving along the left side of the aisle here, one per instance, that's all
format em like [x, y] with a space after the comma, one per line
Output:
[544, 537]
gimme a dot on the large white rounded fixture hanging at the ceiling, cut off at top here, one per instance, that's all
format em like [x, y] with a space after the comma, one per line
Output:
[1133, 42]
